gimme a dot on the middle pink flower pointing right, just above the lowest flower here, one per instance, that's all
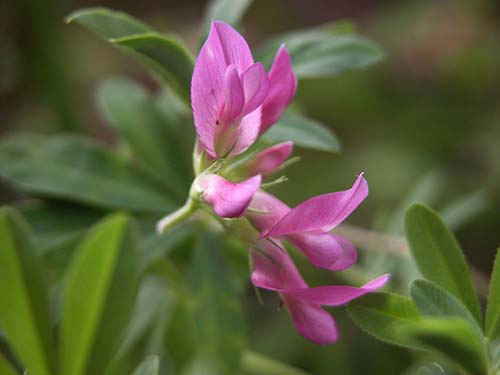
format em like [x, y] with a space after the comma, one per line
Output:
[306, 226]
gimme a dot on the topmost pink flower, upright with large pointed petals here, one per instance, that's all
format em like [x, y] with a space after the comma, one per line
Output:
[232, 97]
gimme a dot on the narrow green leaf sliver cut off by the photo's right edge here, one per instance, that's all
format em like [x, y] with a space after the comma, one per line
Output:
[492, 326]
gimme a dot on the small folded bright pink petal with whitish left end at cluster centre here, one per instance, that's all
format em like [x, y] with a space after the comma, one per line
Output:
[229, 199]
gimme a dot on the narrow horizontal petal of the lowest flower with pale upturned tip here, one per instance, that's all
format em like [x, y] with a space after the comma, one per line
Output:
[336, 295]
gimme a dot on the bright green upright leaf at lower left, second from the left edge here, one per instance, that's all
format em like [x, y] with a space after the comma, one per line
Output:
[99, 296]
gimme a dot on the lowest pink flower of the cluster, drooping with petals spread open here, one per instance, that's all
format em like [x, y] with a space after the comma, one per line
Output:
[275, 270]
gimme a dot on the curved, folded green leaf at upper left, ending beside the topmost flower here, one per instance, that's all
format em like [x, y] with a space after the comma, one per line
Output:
[164, 55]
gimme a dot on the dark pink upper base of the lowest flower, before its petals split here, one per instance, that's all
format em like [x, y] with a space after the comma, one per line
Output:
[273, 269]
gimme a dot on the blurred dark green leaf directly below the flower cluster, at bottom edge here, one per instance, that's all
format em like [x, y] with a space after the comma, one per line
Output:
[217, 310]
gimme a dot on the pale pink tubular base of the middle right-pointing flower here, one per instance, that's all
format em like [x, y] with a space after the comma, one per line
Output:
[266, 210]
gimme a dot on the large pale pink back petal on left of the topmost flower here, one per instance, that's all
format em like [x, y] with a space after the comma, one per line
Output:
[223, 47]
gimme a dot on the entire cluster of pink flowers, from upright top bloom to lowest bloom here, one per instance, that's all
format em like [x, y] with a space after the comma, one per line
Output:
[234, 100]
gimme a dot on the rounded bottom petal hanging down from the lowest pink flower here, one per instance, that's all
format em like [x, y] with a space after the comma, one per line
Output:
[312, 321]
